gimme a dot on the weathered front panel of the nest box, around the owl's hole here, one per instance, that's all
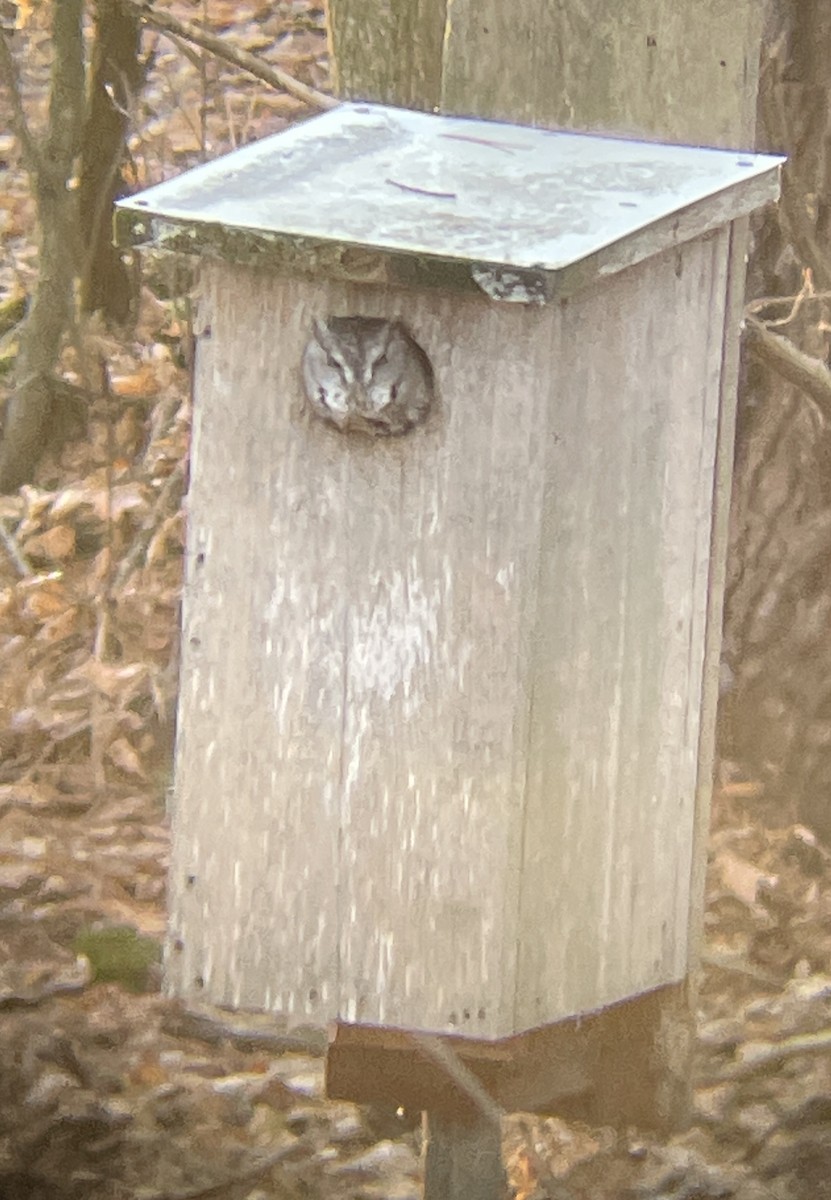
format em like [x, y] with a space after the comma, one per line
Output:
[355, 687]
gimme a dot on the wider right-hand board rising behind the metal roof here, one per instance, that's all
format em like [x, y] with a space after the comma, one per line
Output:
[649, 68]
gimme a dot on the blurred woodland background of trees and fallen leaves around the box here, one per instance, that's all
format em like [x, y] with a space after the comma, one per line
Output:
[107, 1089]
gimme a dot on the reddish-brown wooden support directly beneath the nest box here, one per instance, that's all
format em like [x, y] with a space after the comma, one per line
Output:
[625, 1065]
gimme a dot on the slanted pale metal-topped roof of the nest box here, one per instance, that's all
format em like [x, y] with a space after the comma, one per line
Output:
[524, 213]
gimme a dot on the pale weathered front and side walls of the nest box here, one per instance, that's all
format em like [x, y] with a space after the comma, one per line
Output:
[439, 718]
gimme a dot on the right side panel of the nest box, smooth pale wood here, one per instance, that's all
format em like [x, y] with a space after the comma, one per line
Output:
[620, 638]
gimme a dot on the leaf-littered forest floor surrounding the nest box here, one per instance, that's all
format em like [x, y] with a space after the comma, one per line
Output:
[110, 1090]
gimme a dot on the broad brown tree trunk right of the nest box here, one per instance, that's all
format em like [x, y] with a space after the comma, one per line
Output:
[776, 710]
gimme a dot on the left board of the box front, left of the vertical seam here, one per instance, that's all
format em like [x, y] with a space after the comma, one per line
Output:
[258, 808]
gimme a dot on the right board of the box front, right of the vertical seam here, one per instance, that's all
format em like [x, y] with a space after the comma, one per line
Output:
[443, 544]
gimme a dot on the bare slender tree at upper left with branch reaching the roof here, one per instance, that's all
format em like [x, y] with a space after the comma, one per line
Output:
[75, 166]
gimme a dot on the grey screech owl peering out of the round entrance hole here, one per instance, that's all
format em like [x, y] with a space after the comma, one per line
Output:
[367, 375]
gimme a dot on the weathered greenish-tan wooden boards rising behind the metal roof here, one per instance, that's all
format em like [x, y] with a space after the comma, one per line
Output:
[650, 69]
